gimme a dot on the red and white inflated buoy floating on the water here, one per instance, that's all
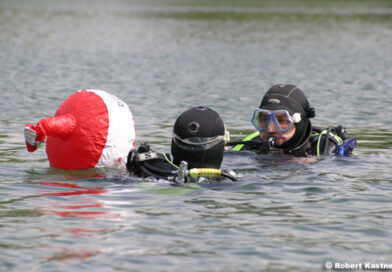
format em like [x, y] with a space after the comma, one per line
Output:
[92, 128]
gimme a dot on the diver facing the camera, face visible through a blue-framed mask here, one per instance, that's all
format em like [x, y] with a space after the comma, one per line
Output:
[283, 127]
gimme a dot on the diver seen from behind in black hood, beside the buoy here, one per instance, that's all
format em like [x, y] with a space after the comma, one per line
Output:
[197, 146]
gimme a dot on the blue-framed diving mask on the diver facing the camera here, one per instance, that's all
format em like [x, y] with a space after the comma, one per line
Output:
[282, 119]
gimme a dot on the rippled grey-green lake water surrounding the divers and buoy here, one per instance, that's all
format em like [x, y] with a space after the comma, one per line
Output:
[162, 57]
